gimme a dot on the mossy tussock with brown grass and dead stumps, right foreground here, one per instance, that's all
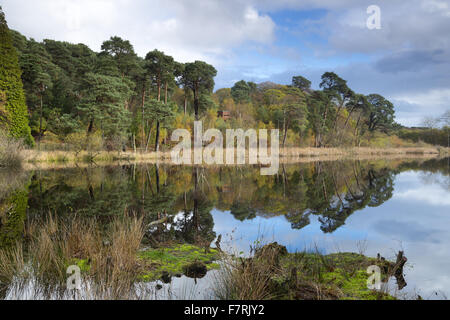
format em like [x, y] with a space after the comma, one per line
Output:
[272, 273]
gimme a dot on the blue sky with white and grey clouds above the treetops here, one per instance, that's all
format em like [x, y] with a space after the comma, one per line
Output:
[407, 60]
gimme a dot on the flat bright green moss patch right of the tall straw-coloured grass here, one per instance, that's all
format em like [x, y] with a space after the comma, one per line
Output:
[173, 260]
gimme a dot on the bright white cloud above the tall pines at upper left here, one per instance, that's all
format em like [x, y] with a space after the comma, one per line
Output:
[188, 30]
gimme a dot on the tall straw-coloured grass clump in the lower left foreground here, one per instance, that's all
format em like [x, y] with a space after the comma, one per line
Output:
[106, 256]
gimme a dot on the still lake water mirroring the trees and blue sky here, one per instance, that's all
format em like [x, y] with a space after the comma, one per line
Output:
[370, 207]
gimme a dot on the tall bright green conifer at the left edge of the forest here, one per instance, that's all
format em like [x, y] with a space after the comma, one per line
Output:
[11, 86]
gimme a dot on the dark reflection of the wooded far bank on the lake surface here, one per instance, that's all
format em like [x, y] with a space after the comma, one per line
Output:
[185, 196]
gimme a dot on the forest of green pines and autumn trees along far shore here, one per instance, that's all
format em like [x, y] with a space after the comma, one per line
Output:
[57, 95]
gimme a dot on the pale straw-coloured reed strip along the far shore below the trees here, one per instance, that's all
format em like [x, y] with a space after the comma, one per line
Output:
[34, 159]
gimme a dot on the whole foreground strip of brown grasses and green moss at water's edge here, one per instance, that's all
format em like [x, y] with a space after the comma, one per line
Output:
[115, 263]
